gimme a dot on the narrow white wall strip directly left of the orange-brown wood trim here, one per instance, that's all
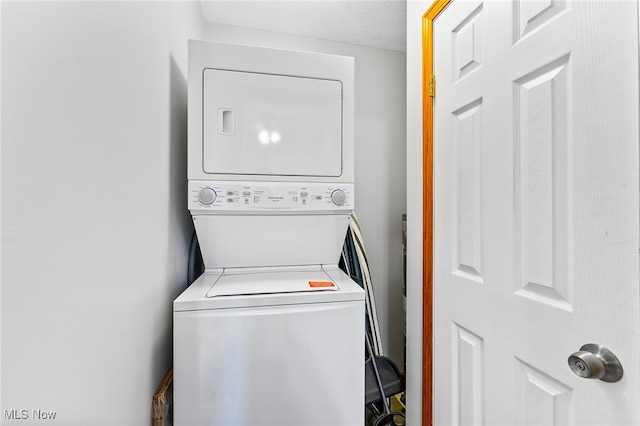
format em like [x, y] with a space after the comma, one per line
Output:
[415, 10]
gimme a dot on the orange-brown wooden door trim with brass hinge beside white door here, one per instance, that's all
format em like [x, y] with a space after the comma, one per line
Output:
[427, 210]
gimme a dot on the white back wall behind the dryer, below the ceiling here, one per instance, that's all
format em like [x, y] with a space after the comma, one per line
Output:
[379, 160]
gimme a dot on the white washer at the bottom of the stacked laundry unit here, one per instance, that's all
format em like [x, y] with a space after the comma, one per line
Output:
[270, 347]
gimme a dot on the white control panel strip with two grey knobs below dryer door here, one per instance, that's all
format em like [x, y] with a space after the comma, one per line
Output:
[217, 196]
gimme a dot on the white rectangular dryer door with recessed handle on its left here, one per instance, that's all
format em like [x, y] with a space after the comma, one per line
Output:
[274, 125]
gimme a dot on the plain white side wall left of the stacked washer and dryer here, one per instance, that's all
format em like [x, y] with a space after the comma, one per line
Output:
[95, 229]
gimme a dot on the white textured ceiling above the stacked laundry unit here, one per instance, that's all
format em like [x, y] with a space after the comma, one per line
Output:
[372, 23]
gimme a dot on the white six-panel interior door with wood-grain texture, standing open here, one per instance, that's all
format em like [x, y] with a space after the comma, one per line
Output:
[536, 211]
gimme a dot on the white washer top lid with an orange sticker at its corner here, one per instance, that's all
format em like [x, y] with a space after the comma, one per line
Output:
[276, 282]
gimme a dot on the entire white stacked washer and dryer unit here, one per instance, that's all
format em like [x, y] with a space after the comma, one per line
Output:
[273, 332]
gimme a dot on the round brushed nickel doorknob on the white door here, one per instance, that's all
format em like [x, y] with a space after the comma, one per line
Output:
[594, 361]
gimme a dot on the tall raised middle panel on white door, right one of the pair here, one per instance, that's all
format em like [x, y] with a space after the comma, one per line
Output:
[543, 170]
